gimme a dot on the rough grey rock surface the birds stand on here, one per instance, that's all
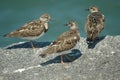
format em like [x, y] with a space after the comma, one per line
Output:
[97, 61]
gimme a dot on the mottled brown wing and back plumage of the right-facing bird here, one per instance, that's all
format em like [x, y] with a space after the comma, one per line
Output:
[32, 29]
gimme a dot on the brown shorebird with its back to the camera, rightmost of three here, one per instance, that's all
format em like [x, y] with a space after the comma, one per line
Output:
[94, 23]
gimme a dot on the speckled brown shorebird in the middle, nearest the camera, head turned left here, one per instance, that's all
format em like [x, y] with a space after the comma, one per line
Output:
[64, 42]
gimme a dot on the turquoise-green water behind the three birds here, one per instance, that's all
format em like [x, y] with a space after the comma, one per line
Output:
[14, 13]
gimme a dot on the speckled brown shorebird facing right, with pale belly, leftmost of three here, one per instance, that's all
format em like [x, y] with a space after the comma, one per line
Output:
[32, 30]
